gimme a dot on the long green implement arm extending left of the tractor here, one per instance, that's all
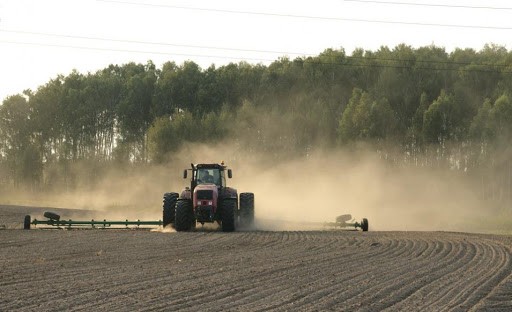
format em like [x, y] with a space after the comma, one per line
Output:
[53, 220]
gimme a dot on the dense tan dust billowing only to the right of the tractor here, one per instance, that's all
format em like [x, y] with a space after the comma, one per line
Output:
[323, 186]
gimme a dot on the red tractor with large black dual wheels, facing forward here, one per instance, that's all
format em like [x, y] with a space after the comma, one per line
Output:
[208, 200]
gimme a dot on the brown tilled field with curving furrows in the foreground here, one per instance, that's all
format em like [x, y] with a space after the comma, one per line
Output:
[251, 271]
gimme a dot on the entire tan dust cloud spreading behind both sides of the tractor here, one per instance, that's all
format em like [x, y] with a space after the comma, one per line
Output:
[297, 194]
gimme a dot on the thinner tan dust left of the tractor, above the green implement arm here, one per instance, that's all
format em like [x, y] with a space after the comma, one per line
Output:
[133, 193]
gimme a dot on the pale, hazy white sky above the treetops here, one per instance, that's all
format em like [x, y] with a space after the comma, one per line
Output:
[40, 40]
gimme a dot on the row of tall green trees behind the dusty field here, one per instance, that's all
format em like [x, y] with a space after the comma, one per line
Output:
[416, 106]
